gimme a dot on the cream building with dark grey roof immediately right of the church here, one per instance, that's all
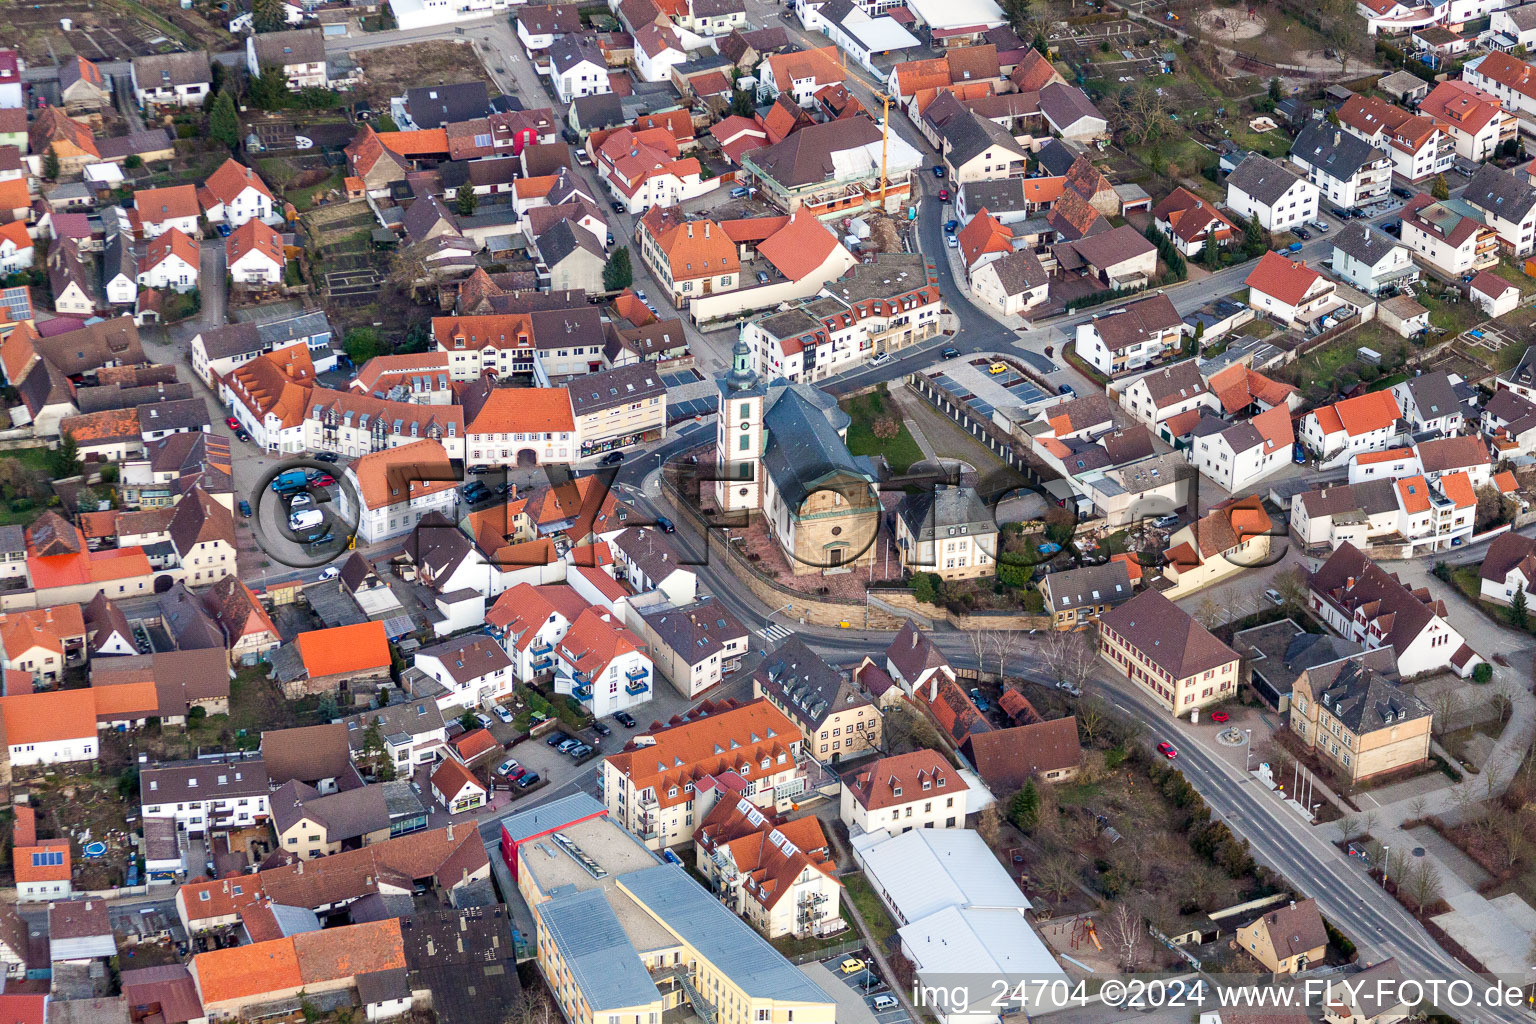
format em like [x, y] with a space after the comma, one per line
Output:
[947, 530]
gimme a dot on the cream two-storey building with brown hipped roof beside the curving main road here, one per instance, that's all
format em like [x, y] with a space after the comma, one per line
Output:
[1165, 652]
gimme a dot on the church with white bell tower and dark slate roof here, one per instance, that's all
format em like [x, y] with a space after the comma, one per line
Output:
[783, 454]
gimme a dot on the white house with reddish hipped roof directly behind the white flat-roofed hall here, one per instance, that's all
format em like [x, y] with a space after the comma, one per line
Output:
[907, 791]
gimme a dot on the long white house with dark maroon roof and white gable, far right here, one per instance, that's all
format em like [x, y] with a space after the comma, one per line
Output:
[1363, 603]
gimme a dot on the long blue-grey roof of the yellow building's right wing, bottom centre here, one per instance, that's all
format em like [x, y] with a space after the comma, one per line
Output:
[720, 936]
